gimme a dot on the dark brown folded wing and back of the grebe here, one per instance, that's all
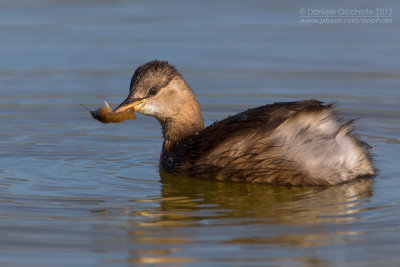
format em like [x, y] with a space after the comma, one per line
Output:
[230, 144]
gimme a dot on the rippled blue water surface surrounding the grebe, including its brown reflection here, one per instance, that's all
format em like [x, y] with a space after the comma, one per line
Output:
[77, 192]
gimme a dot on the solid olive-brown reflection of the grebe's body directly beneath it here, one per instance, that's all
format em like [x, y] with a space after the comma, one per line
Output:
[276, 204]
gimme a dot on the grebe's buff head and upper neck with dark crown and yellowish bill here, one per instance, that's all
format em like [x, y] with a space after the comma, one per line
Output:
[157, 89]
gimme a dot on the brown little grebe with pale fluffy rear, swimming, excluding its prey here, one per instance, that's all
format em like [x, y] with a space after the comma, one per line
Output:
[290, 143]
